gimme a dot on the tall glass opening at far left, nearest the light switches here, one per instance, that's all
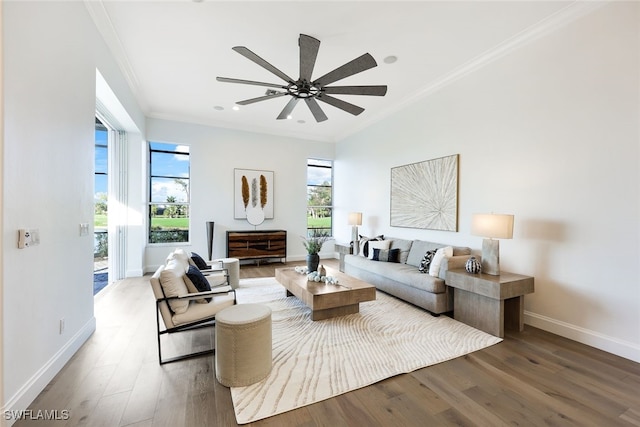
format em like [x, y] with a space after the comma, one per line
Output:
[100, 190]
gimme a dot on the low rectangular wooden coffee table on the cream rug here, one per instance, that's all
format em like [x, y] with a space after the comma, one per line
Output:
[327, 300]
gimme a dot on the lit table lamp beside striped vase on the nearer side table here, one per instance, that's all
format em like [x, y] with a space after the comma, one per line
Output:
[493, 226]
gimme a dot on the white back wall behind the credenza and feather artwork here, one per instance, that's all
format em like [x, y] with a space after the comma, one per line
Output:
[215, 153]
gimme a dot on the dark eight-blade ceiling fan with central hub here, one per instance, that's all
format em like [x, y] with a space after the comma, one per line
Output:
[306, 89]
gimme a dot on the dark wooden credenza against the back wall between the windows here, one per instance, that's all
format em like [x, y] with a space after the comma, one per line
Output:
[257, 244]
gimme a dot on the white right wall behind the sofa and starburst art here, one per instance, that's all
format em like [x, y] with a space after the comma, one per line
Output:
[549, 133]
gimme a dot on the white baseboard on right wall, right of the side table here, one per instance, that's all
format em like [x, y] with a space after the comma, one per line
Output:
[613, 345]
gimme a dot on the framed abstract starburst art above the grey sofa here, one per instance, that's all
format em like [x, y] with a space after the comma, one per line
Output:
[425, 194]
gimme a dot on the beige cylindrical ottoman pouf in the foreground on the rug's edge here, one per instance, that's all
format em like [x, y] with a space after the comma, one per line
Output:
[243, 344]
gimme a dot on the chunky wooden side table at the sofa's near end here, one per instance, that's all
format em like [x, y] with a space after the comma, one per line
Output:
[487, 302]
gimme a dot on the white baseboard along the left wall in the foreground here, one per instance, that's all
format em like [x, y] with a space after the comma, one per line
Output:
[21, 400]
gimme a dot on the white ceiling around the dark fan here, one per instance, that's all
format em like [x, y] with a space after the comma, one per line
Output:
[172, 51]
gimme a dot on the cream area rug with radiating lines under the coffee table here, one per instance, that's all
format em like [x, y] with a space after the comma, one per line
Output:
[314, 361]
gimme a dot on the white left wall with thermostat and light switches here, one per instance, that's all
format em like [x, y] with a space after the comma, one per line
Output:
[50, 54]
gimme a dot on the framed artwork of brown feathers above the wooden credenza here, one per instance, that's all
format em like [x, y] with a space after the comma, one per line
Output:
[253, 195]
